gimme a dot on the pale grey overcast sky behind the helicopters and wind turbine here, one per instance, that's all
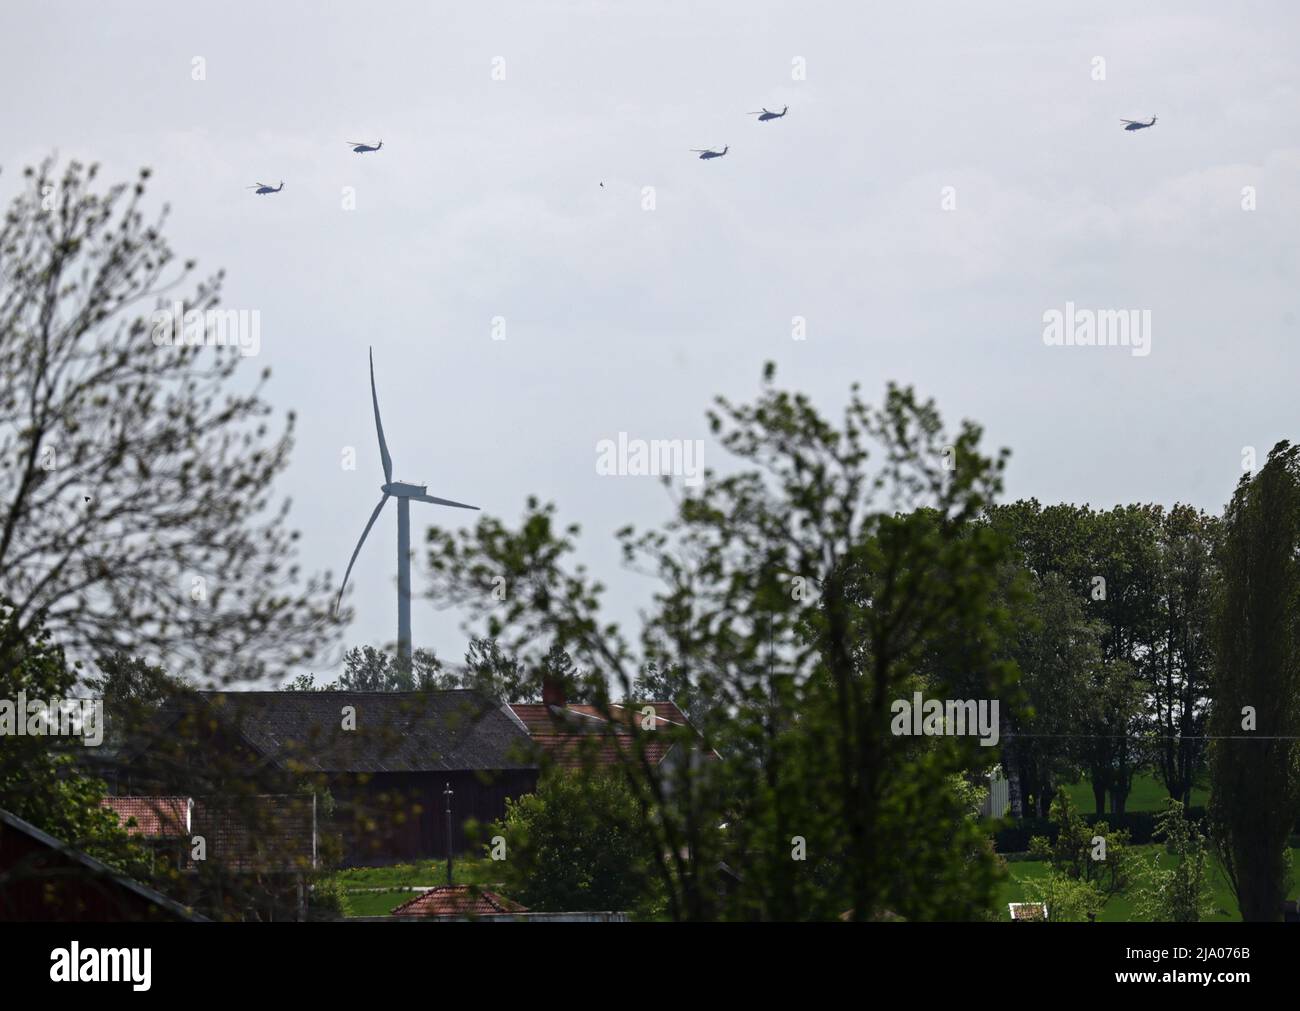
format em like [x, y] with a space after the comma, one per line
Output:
[486, 202]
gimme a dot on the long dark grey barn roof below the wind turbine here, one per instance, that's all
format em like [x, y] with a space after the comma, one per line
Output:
[396, 731]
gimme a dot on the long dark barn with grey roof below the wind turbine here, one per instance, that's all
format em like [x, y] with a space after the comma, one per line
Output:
[391, 762]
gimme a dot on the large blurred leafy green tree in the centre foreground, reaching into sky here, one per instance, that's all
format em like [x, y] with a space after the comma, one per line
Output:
[839, 570]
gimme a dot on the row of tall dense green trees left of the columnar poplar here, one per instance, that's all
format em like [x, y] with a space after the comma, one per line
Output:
[1115, 649]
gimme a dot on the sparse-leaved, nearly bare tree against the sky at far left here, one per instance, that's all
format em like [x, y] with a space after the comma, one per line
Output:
[136, 483]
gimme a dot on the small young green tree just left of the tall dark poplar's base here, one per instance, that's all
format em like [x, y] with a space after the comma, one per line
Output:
[1181, 892]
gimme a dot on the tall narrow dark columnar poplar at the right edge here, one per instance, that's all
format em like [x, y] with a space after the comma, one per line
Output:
[1255, 756]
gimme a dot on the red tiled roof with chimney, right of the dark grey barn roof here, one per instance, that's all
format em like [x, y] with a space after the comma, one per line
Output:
[569, 735]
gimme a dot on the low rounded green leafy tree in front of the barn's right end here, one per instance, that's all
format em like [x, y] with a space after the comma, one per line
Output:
[577, 844]
